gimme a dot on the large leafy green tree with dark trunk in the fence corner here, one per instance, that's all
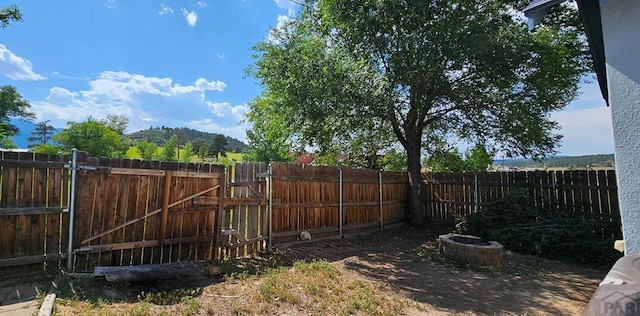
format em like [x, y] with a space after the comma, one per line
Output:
[441, 69]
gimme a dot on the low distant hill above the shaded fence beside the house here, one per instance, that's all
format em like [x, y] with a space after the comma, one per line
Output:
[593, 161]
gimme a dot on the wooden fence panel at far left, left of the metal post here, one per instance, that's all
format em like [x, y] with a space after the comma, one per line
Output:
[34, 197]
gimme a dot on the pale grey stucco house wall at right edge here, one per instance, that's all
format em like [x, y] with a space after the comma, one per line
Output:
[621, 34]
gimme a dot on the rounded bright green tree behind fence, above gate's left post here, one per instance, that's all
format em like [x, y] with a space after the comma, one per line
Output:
[92, 136]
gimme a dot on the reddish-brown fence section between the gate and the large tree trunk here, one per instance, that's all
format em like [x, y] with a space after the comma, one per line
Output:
[330, 201]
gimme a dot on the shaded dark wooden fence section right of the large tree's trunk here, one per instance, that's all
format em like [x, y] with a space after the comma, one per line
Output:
[449, 197]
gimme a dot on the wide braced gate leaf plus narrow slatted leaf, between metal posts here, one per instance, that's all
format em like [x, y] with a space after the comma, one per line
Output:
[132, 212]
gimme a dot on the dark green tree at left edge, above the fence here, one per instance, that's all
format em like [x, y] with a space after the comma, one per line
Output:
[12, 105]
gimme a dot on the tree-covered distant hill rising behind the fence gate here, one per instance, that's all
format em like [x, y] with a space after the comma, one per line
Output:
[159, 135]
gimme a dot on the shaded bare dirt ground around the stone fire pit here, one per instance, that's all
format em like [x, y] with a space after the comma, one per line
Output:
[404, 258]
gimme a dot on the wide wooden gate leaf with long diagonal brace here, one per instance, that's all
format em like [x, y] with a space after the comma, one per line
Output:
[132, 212]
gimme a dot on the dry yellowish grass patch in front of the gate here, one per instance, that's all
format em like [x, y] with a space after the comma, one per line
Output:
[318, 288]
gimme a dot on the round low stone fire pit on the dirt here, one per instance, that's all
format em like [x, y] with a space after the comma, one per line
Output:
[471, 249]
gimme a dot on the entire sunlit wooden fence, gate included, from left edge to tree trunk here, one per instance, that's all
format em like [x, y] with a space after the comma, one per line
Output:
[131, 212]
